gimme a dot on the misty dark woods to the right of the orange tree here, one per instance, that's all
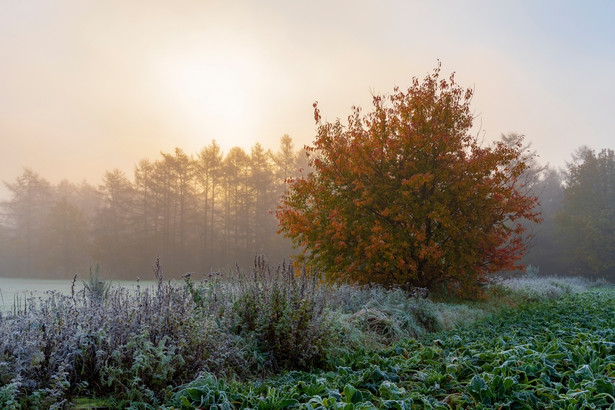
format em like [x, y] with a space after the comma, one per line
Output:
[577, 235]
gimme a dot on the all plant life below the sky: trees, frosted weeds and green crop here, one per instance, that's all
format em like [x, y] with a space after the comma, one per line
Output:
[401, 200]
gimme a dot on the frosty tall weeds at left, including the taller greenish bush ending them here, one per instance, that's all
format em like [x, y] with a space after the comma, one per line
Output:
[137, 346]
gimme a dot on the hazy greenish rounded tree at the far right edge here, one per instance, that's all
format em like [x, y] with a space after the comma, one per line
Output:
[587, 218]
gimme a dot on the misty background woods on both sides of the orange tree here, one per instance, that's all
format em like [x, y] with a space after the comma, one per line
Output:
[207, 212]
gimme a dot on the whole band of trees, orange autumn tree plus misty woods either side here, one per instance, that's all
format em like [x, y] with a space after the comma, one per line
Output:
[402, 195]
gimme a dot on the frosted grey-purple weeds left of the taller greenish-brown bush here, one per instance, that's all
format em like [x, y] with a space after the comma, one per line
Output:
[133, 345]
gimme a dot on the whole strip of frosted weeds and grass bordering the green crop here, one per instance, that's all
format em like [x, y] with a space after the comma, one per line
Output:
[142, 347]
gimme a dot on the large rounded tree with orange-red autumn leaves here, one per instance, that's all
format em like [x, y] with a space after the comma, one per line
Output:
[406, 196]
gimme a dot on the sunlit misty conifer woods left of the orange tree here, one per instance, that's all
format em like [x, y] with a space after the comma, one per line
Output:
[197, 213]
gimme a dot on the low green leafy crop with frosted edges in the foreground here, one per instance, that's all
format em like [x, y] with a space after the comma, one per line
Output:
[557, 354]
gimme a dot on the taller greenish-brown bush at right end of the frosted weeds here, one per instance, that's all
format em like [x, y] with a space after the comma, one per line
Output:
[284, 313]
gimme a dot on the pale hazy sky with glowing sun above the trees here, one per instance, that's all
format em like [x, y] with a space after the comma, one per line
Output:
[90, 86]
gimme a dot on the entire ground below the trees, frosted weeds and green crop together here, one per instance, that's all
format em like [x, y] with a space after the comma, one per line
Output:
[274, 338]
